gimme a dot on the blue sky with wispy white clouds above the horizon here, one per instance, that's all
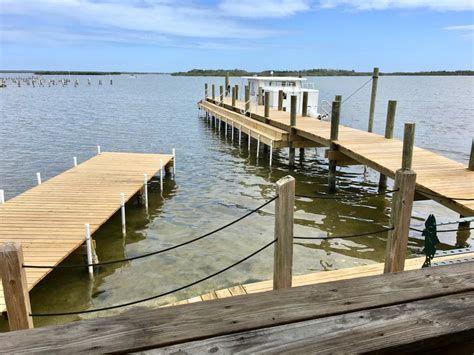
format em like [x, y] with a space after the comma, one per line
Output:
[167, 36]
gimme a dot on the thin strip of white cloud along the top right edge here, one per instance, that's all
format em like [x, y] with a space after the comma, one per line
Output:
[437, 5]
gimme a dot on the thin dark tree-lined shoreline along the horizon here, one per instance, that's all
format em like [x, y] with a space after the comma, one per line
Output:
[238, 72]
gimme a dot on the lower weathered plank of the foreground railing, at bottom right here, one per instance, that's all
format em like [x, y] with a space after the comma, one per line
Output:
[434, 324]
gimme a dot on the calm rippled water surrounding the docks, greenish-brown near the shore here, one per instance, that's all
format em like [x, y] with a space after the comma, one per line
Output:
[42, 128]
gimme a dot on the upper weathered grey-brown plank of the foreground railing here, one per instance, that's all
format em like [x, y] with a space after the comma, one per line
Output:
[142, 329]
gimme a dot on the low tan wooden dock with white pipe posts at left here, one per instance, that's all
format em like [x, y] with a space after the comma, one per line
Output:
[48, 220]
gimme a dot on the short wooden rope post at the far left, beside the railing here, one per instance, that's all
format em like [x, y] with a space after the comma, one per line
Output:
[15, 286]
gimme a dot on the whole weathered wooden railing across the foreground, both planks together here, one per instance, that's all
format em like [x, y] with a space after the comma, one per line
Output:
[415, 311]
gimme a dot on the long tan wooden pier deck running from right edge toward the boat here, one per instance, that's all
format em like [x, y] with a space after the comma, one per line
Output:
[438, 178]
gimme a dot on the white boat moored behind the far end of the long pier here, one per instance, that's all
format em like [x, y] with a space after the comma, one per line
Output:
[290, 86]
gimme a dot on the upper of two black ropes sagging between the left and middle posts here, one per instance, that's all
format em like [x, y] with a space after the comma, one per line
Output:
[155, 252]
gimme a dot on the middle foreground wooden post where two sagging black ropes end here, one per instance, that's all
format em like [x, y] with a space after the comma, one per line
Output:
[283, 254]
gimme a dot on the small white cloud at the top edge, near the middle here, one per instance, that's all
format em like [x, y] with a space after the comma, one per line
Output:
[263, 8]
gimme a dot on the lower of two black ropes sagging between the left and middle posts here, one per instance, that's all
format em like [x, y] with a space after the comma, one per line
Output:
[156, 296]
